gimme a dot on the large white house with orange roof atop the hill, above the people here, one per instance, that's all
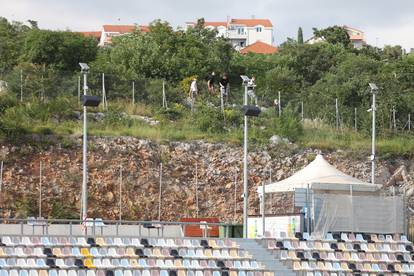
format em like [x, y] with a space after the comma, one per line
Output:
[242, 32]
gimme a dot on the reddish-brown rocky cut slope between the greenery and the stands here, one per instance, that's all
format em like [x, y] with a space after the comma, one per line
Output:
[217, 167]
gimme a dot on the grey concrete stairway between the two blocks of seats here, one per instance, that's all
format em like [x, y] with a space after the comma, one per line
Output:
[262, 255]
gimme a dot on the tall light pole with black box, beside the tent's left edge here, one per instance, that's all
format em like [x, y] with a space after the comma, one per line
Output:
[248, 110]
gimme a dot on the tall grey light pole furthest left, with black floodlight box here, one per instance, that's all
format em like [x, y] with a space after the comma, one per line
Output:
[87, 101]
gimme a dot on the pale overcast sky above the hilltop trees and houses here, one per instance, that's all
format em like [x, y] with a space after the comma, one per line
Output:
[384, 21]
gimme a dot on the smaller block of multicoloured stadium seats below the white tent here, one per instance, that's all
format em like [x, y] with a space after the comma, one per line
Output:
[343, 253]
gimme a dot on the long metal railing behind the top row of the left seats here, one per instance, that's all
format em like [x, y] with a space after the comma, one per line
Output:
[123, 228]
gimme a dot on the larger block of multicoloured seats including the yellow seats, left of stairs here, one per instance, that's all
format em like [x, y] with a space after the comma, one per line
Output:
[68, 256]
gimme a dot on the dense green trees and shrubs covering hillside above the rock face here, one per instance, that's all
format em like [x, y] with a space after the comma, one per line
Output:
[41, 69]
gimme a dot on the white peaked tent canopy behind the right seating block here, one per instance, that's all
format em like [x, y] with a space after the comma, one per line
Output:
[320, 175]
